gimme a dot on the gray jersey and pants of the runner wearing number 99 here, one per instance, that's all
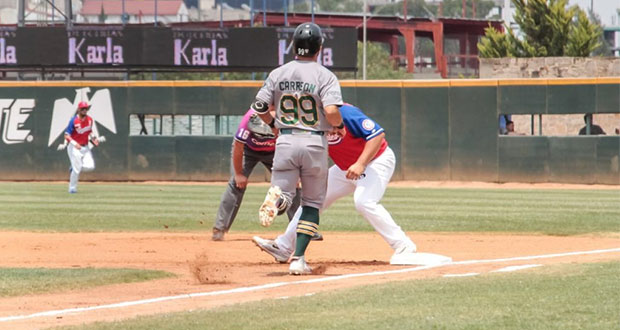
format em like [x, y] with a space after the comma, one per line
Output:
[299, 90]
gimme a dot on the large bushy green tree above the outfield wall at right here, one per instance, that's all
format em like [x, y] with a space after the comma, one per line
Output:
[549, 28]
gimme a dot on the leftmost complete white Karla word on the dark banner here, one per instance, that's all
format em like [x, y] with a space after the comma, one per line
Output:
[95, 54]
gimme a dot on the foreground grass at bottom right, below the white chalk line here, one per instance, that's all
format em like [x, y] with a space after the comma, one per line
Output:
[570, 296]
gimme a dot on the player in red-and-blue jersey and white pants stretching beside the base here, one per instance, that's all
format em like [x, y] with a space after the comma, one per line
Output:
[364, 164]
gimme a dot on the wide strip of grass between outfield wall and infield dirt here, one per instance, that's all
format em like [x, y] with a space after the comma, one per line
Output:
[149, 207]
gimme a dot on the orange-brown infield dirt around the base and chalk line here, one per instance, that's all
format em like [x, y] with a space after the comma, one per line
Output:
[202, 265]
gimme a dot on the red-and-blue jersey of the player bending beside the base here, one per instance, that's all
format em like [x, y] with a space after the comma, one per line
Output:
[345, 151]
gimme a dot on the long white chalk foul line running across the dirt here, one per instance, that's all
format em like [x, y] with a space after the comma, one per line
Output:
[279, 284]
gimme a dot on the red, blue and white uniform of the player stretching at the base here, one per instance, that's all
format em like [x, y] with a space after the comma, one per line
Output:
[368, 189]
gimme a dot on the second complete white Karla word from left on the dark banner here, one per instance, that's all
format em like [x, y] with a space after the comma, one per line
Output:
[201, 56]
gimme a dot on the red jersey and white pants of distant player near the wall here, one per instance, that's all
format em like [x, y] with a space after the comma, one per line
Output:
[79, 129]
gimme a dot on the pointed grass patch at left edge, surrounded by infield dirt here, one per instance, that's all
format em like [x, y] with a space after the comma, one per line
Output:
[24, 281]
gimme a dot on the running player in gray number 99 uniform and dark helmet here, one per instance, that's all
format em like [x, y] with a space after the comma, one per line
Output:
[306, 97]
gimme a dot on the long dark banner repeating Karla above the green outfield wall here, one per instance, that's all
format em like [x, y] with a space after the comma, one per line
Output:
[214, 49]
